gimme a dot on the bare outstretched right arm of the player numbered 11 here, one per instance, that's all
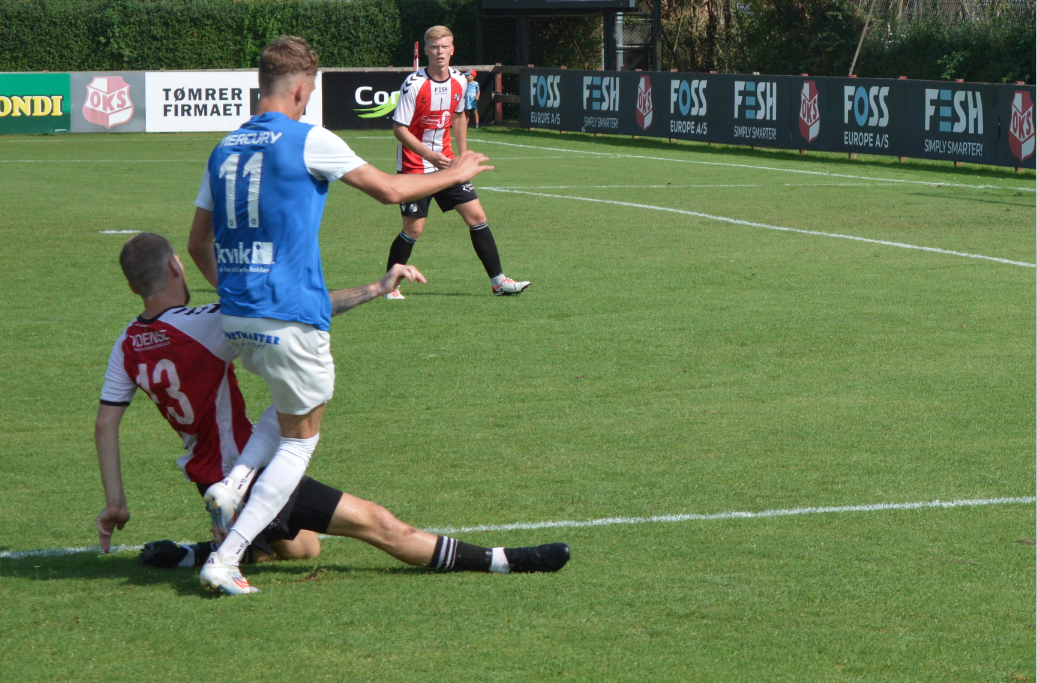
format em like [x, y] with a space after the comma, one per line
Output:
[408, 187]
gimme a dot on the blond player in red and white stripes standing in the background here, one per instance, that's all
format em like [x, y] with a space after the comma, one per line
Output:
[425, 120]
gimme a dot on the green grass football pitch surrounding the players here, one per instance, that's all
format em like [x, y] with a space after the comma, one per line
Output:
[661, 364]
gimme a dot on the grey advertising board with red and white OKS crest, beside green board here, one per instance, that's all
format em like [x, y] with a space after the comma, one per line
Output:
[108, 102]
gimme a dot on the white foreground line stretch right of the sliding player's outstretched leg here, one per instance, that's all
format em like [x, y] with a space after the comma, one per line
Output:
[609, 522]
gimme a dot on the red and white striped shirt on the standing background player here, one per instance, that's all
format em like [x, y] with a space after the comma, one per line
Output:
[428, 108]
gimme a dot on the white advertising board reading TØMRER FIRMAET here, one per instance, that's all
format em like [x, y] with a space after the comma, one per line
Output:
[179, 102]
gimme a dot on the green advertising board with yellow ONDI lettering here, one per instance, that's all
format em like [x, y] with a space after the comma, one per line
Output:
[35, 104]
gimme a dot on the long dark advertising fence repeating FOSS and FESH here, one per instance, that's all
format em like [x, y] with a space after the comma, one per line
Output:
[980, 124]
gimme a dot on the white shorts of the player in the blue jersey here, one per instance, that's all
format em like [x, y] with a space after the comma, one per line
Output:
[293, 358]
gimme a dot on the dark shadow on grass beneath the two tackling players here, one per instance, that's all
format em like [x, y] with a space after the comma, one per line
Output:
[125, 568]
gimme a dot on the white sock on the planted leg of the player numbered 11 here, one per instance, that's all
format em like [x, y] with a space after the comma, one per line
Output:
[269, 496]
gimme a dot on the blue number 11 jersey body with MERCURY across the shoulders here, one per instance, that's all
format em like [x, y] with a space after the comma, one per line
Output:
[266, 219]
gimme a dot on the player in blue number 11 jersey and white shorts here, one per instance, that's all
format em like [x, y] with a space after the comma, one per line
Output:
[255, 238]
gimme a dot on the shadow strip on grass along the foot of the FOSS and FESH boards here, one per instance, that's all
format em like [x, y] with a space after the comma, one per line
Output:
[831, 161]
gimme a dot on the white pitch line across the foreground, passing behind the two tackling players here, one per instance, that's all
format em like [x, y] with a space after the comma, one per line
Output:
[610, 522]
